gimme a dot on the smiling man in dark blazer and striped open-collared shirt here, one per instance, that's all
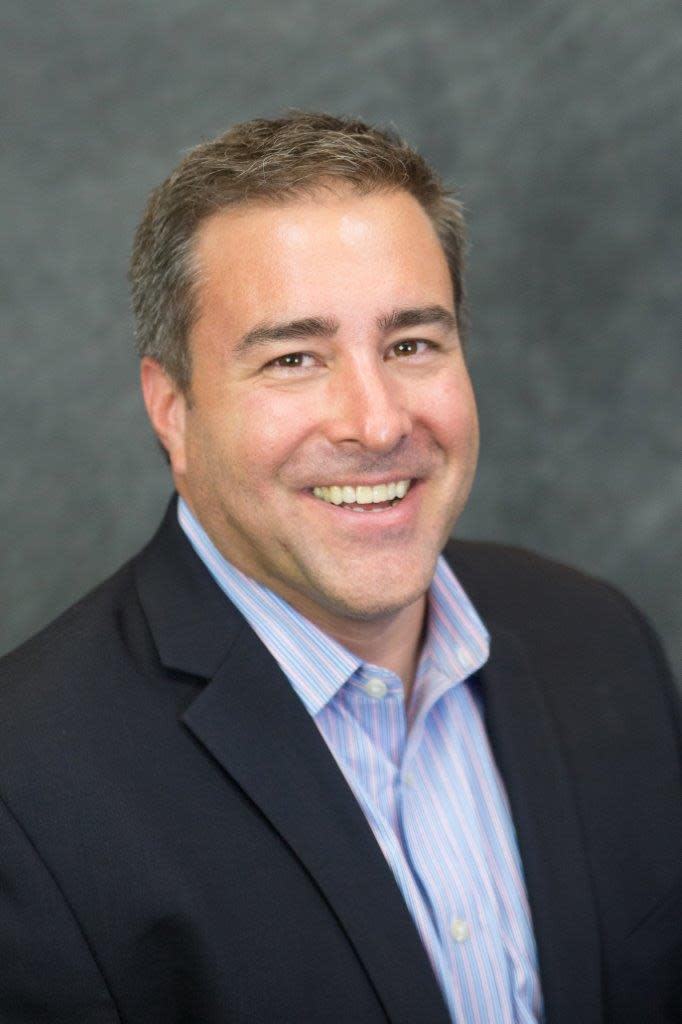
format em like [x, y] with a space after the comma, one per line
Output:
[290, 764]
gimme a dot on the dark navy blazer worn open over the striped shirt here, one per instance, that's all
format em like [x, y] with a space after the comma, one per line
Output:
[178, 844]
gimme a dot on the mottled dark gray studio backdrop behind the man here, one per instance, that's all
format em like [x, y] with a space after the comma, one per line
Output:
[561, 123]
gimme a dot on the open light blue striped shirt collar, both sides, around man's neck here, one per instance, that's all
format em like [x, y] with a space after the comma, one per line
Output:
[455, 647]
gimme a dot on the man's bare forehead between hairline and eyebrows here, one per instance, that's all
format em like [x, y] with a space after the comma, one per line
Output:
[340, 255]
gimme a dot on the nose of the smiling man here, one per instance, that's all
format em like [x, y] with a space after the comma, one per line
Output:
[367, 407]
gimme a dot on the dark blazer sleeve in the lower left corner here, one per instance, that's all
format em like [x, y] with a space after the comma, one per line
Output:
[48, 972]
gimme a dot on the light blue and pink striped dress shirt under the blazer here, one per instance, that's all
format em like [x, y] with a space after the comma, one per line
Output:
[427, 781]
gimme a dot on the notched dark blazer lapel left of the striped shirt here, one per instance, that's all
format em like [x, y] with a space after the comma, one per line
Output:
[258, 731]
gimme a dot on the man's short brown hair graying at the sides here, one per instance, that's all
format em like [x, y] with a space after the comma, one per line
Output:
[273, 160]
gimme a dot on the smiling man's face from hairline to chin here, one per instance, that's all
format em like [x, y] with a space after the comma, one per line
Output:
[355, 379]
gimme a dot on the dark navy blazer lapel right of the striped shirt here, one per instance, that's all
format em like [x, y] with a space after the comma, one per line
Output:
[530, 756]
